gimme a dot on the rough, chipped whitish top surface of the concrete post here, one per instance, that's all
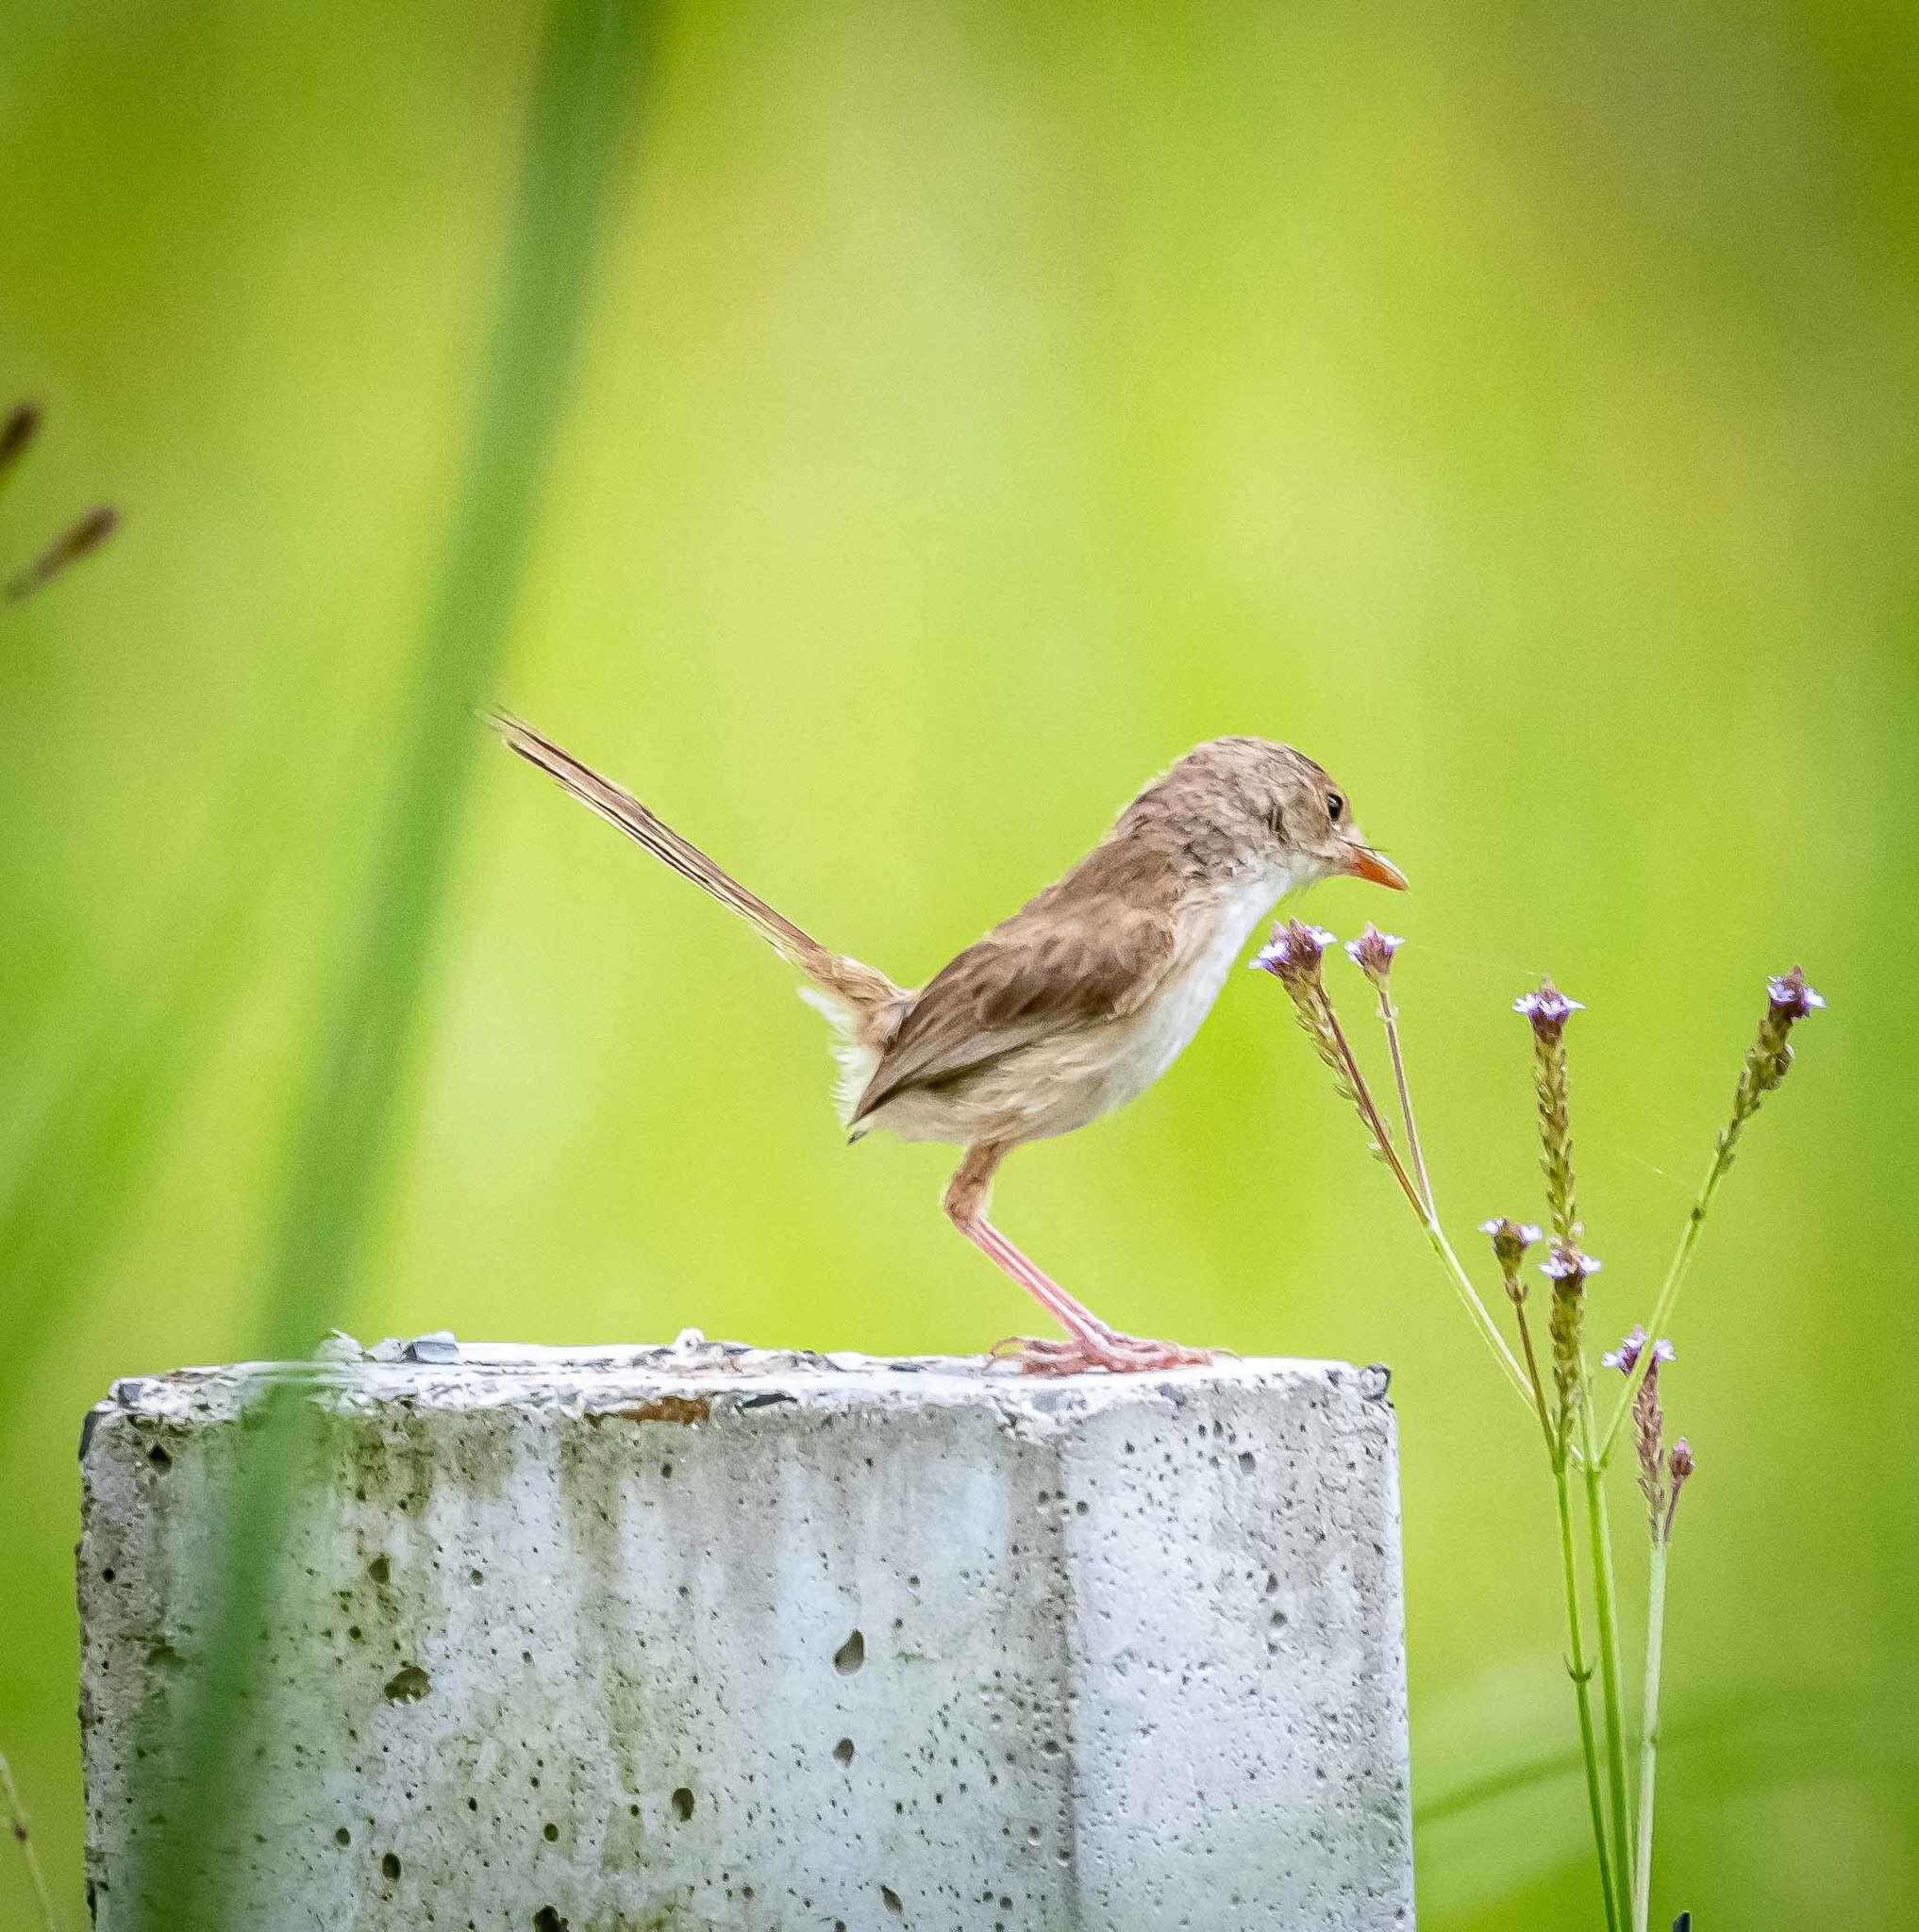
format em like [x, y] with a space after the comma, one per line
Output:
[442, 1373]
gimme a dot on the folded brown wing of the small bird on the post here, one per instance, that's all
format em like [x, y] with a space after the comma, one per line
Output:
[1023, 982]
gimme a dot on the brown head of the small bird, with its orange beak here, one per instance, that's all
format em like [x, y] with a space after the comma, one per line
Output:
[1244, 805]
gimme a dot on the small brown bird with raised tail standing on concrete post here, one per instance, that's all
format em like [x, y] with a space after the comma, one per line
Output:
[1068, 1009]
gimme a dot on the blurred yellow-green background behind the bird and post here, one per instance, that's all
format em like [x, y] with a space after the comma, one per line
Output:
[1514, 407]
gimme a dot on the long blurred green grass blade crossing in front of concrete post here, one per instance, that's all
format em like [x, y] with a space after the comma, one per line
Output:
[587, 86]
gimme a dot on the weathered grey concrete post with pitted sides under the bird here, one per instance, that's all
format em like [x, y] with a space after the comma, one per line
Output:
[708, 1637]
